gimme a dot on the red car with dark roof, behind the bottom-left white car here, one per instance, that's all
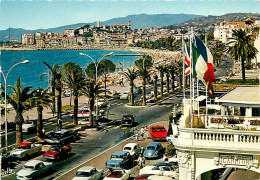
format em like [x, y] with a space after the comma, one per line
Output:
[57, 152]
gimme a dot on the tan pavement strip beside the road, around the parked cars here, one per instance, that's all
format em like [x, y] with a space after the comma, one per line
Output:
[99, 160]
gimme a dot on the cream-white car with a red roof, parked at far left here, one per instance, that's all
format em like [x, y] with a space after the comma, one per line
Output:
[24, 150]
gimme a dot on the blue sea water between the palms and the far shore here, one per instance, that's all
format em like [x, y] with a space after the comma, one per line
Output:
[30, 73]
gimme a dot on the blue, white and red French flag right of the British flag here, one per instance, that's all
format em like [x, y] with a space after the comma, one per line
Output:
[203, 64]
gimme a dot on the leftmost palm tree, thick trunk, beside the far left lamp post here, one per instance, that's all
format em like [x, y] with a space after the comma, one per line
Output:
[21, 102]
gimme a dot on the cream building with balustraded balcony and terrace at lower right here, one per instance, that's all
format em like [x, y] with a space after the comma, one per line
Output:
[224, 138]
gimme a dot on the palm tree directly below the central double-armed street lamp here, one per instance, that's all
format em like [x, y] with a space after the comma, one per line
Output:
[91, 90]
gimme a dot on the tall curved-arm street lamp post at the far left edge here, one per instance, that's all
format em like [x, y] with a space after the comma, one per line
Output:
[5, 80]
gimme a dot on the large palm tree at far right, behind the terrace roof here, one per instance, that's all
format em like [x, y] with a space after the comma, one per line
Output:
[241, 47]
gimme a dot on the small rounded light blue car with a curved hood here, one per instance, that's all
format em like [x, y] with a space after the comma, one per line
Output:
[154, 150]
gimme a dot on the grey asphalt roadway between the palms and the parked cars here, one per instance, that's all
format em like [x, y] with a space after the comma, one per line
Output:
[88, 146]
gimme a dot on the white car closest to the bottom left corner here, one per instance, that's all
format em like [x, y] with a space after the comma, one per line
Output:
[33, 169]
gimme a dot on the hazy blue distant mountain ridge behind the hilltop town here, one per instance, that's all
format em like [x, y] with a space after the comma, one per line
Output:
[137, 21]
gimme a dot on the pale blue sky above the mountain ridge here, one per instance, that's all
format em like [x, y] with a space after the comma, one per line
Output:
[35, 14]
